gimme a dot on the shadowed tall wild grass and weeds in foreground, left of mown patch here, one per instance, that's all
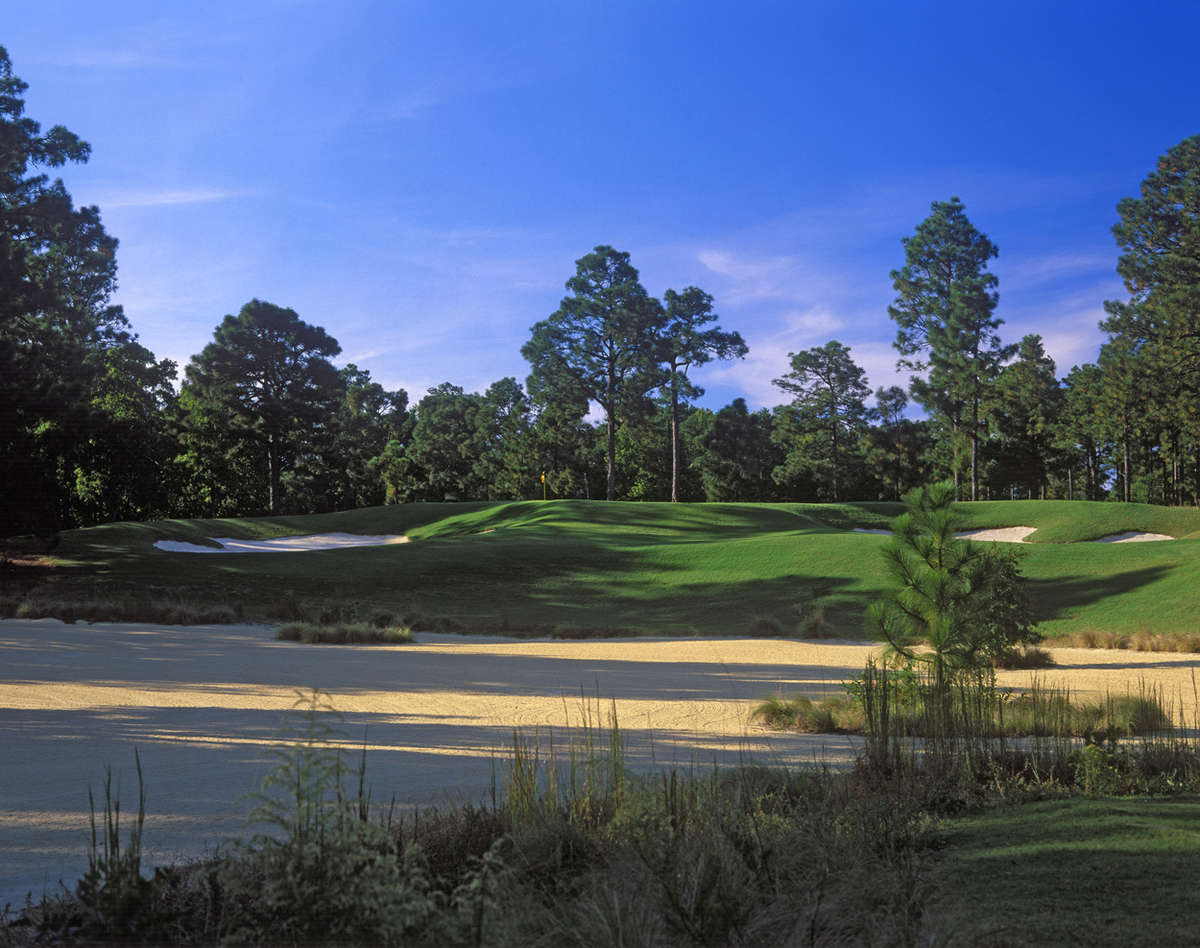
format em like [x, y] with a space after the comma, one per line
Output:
[573, 850]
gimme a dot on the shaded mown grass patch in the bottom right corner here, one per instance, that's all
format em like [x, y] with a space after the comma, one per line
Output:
[1076, 872]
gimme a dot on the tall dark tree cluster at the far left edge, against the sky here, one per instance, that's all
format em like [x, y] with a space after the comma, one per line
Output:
[76, 389]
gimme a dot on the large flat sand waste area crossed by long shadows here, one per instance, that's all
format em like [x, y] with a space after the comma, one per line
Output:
[205, 705]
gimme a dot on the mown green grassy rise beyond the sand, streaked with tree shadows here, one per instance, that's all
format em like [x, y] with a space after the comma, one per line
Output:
[657, 567]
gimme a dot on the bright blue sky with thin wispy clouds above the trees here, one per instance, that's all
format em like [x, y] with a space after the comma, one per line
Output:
[421, 178]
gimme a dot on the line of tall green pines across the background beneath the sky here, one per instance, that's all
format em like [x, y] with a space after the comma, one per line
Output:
[93, 428]
